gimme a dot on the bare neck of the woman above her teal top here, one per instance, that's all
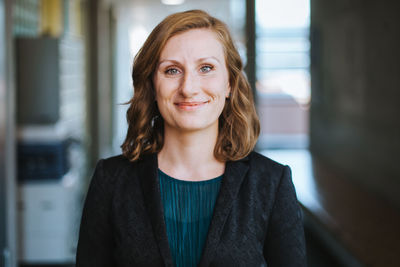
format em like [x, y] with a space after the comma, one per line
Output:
[190, 155]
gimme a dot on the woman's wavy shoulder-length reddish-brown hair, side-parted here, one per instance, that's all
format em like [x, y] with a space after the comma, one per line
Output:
[239, 126]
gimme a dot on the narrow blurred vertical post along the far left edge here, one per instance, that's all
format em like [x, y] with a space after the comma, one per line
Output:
[8, 240]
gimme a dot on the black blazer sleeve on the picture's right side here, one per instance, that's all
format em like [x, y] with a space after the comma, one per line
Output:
[285, 242]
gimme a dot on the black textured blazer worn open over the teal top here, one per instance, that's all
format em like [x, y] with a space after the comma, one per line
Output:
[256, 222]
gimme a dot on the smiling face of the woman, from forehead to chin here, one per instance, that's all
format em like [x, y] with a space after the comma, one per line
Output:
[191, 81]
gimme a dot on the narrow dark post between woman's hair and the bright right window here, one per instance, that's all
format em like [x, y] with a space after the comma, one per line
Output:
[251, 43]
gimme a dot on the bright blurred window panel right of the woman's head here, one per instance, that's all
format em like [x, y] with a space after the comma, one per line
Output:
[283, 78]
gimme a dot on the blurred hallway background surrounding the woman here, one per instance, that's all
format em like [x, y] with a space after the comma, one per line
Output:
[326, 78]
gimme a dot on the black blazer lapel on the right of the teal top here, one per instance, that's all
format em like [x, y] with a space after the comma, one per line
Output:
[231, 182]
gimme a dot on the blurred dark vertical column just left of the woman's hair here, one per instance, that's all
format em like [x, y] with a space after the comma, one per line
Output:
[100, 85]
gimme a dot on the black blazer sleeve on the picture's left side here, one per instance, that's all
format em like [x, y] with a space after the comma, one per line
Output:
[95, 244]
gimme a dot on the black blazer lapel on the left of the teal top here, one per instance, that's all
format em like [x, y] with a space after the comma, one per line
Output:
[148, 173]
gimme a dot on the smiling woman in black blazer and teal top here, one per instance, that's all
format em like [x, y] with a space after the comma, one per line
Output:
[188, 190]
